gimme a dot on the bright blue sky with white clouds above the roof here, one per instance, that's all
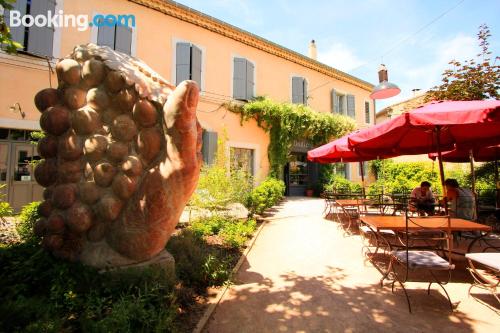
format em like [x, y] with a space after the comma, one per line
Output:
[415, 39]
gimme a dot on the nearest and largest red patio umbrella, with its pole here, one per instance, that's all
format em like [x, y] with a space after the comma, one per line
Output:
[433, 127]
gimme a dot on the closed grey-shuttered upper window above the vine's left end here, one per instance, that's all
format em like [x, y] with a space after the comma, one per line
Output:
[243, 79]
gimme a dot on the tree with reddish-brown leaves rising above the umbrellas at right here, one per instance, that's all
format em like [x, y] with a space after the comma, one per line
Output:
[475, 79]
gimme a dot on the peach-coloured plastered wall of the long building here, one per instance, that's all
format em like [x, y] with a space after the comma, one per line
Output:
[154, 41]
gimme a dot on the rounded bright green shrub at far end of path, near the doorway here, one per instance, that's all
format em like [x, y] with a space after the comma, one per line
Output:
[266, 195]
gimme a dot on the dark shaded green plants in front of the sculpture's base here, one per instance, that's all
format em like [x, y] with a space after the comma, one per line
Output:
[43, 294]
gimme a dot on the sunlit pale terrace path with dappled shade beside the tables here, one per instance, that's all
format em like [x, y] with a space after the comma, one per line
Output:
[303, 275]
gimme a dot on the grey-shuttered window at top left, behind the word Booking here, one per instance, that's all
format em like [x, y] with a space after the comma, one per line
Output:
[35, 40]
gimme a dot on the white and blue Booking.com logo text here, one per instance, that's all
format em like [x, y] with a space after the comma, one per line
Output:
[61, 20]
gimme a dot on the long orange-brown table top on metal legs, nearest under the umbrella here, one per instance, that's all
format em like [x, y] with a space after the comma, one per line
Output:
[398, 223]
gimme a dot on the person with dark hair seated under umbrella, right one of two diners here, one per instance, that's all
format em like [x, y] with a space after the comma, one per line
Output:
[461, 201]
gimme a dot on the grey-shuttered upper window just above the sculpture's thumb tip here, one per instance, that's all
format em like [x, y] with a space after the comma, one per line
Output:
[188, 63]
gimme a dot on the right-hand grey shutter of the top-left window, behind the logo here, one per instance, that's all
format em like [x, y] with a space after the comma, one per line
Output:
[41, 39]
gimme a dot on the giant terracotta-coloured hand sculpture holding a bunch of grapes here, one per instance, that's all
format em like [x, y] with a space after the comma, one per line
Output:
[121, 158]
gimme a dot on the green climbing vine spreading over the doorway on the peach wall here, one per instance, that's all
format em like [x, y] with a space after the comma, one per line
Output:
[287, 123]
